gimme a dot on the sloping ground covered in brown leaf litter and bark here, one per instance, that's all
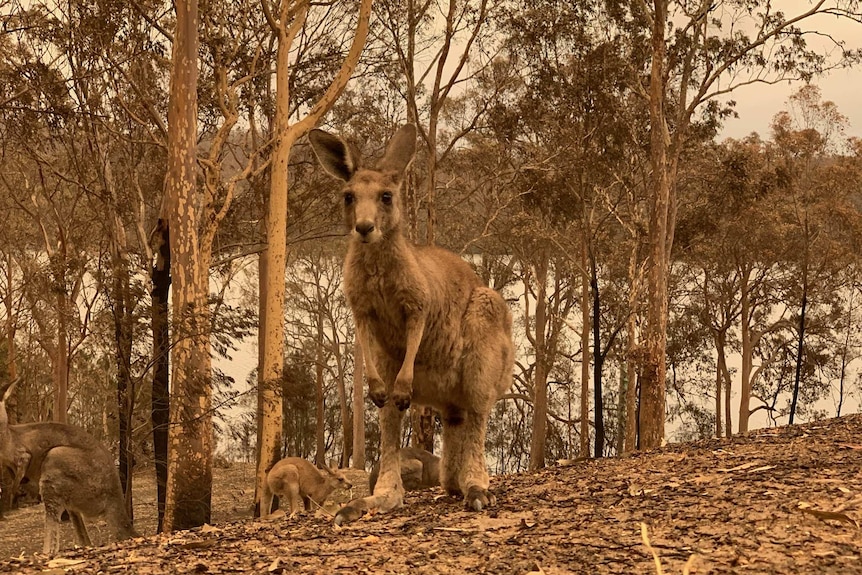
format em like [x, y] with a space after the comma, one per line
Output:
[784, 500]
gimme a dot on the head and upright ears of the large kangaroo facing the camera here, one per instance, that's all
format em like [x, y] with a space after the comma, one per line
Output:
[372, 196]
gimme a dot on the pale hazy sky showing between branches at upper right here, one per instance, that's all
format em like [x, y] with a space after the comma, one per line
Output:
[756, 105]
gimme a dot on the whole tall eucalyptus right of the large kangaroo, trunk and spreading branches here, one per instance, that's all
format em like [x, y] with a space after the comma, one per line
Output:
[696, 54]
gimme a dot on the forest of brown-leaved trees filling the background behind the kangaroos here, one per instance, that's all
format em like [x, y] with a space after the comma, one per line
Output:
[658, 272]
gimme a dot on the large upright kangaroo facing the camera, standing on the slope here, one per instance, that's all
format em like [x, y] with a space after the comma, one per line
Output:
[430, 332]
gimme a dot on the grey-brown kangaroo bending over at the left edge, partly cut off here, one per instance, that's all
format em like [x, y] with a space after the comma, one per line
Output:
[73, 471]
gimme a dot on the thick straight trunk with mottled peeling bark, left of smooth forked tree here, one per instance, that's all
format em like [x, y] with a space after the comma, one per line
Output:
[189, 489]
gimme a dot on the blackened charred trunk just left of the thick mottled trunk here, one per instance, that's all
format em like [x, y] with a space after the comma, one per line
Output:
[161, 279]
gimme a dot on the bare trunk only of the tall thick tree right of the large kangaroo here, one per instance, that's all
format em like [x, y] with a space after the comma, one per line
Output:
[652, 404]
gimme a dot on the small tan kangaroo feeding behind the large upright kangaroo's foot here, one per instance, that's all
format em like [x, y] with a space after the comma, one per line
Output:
[300, 482]
